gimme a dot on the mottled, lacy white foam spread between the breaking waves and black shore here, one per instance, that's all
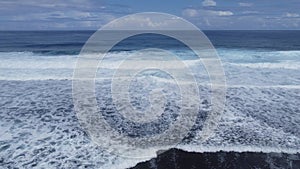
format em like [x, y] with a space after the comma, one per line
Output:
[255, 119]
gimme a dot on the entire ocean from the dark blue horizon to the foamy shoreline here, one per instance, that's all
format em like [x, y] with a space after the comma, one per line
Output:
[39, 127]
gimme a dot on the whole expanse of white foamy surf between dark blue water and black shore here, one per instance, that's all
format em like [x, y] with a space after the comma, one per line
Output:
[261, 114]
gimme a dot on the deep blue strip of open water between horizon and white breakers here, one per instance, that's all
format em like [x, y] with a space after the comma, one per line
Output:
[71, 42]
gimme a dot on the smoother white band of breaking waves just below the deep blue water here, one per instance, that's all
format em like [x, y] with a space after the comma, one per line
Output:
[238, 64]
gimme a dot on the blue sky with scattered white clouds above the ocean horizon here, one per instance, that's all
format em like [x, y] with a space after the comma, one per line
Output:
[205, 14]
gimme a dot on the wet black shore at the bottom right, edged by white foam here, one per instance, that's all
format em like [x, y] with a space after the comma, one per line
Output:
[178, 159]
